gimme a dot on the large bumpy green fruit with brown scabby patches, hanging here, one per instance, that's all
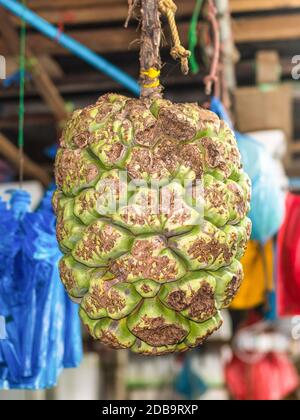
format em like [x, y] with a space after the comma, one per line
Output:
[151, 282]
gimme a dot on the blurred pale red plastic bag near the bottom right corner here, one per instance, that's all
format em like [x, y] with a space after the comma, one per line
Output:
[272, 377]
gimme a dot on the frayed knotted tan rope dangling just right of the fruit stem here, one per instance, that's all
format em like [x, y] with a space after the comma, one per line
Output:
[178, 51]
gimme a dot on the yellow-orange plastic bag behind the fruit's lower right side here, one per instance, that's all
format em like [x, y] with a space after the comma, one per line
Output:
[258, 269]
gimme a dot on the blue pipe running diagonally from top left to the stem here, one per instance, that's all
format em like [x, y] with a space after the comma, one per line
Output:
[71, 44]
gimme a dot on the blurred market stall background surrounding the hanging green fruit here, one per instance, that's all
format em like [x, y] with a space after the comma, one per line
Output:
[256, 354]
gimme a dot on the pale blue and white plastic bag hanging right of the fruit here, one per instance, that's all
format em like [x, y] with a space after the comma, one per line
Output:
[268, 200]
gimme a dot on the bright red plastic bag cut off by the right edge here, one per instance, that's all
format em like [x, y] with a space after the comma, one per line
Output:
[289, 259]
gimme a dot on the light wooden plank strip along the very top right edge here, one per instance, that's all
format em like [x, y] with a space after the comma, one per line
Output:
[239, 6]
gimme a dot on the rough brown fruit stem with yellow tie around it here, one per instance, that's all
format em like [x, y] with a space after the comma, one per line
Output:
[150, 50]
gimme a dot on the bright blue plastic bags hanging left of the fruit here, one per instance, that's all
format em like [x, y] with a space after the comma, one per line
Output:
[40, 326]
